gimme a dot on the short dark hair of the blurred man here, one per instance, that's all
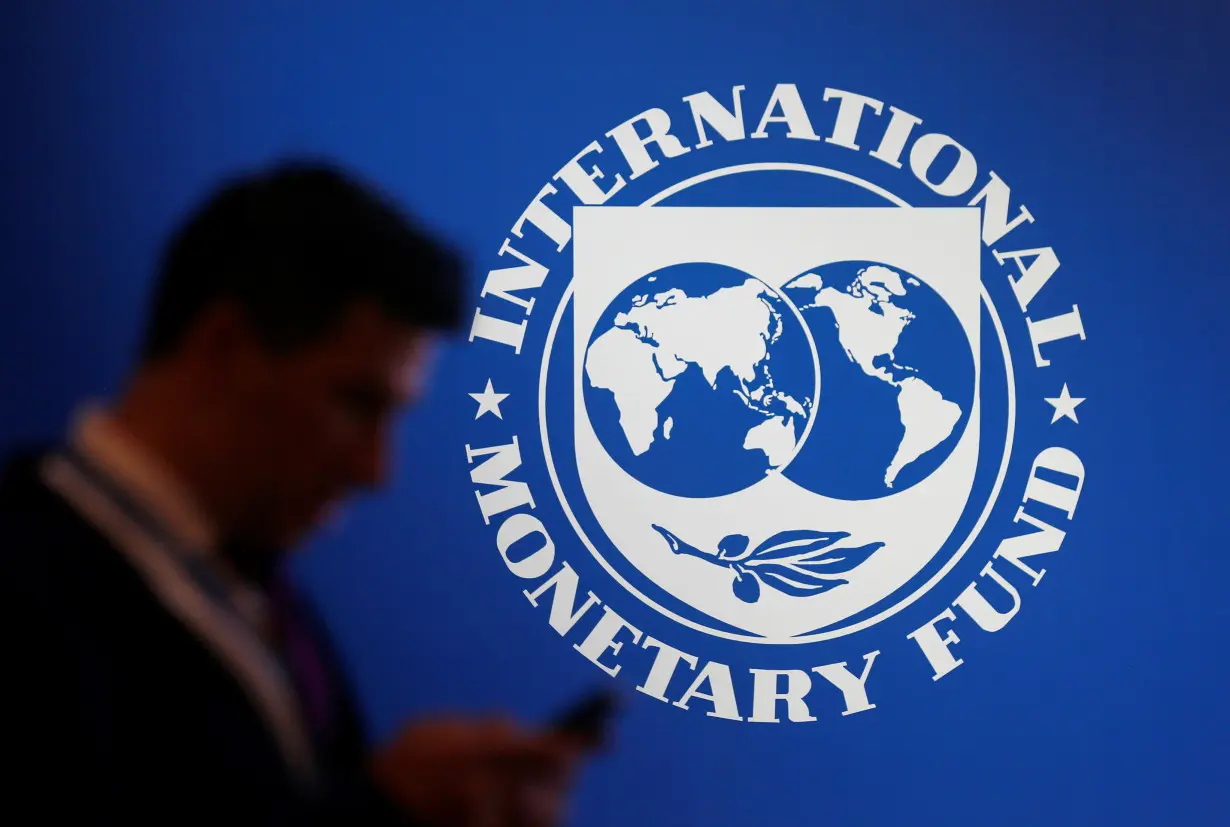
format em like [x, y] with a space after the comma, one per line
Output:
[296, 247]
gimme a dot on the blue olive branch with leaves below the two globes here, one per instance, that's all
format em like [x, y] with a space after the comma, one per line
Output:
[799, 563]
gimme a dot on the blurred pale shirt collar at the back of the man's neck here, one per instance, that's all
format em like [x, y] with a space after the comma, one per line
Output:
[100, 439]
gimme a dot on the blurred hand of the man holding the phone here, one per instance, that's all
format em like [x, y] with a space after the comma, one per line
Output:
[466, 773]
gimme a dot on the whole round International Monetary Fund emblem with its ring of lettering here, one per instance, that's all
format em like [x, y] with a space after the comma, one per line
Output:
[778, 401]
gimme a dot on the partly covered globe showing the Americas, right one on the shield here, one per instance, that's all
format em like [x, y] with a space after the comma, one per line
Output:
[899, 378]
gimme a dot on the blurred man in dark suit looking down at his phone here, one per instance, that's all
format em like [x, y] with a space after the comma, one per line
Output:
[158, 668]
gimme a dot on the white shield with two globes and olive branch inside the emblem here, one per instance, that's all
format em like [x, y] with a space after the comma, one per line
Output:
[755, 433]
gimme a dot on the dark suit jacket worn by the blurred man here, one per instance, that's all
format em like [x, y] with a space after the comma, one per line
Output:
[115, 712]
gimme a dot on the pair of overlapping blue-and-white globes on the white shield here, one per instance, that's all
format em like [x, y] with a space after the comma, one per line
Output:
[700, 380]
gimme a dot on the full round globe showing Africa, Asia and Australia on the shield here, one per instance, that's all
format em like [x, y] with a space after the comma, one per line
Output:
[700, 380]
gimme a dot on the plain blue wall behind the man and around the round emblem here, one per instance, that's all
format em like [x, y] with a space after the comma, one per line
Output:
[1103, 703]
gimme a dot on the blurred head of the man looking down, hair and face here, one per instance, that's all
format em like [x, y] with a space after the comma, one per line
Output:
[295, 316]
